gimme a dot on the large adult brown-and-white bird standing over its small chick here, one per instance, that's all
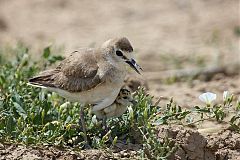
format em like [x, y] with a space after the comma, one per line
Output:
[91, 75]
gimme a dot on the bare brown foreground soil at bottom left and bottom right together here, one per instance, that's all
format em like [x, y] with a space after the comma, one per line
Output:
[223, 145]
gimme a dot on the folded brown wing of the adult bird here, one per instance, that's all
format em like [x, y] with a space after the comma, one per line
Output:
[79, 72]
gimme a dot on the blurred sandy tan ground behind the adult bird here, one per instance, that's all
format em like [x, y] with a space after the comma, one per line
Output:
[176, 35]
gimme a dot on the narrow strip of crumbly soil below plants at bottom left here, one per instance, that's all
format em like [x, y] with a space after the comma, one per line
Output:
[49, 153]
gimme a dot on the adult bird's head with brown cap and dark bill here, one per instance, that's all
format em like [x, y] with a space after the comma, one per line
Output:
[120, 50]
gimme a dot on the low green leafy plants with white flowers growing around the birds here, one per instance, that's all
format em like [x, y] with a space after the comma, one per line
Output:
[34, 116]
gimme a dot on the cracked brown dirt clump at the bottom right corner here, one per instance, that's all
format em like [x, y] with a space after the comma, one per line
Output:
[193, 145]
